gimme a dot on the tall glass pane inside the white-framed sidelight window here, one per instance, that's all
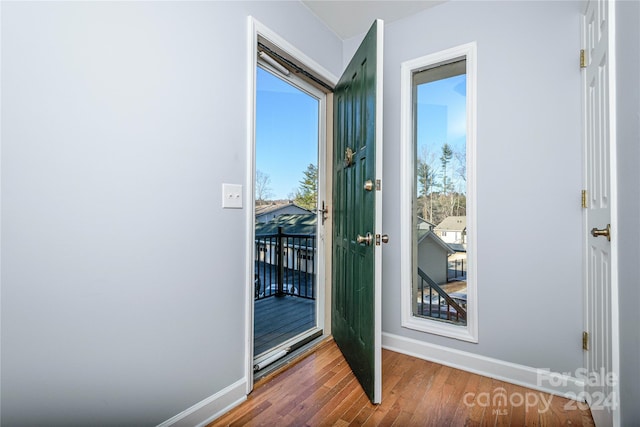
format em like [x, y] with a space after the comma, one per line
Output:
[439, 241]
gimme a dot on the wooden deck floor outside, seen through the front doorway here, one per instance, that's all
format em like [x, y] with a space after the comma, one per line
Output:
[276, 319]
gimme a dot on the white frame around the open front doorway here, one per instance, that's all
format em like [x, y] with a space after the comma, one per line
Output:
[255, 30]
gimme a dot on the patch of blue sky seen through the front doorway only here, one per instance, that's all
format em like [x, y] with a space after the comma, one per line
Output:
[286, 133]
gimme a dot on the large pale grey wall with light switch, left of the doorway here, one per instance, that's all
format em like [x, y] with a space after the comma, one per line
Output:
[123, 279]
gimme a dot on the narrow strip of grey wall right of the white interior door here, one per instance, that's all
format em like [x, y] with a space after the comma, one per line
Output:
[628, 58]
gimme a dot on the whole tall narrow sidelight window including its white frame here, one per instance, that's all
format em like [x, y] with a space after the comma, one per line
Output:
[439, 283]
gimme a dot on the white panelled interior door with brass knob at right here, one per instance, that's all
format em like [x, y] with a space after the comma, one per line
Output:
[600, 227]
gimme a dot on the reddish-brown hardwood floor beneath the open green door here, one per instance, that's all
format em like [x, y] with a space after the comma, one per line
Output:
[320, 390]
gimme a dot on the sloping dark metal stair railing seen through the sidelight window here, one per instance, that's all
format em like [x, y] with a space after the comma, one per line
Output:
[435, 302]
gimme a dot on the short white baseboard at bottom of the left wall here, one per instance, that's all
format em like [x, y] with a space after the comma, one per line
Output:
[204, 412]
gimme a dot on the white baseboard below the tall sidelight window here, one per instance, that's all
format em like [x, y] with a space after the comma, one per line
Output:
[536, 379]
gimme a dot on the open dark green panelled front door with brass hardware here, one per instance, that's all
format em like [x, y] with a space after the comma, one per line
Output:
[357, 169]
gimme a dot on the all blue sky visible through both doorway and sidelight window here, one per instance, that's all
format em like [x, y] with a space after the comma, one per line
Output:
[287, 127]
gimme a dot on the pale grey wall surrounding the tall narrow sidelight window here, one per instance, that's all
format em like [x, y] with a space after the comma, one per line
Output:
[529, 174]
